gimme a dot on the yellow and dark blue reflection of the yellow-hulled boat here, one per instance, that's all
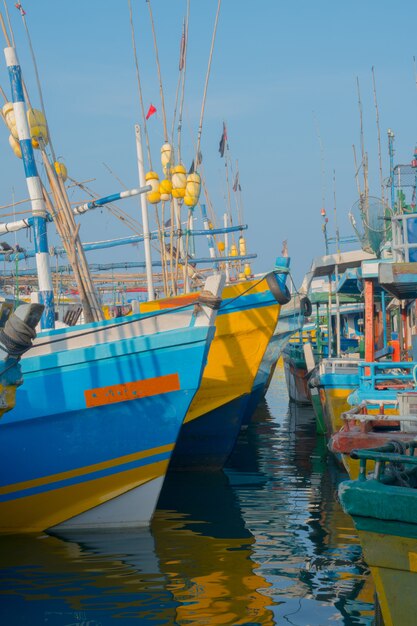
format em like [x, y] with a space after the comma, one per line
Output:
[207, 558]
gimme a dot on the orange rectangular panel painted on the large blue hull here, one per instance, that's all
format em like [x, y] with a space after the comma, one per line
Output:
[132, 391]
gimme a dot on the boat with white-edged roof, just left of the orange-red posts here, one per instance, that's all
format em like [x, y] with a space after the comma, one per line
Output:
[334, 332]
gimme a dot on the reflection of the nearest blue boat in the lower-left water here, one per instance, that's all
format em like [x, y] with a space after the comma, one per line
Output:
[85, 579]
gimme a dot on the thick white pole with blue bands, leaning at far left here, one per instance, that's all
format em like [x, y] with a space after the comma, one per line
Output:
[46, 294]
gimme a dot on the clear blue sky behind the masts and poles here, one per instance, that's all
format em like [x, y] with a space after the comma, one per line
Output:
[282, 73]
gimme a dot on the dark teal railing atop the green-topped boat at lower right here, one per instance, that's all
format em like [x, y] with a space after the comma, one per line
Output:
[383, 455]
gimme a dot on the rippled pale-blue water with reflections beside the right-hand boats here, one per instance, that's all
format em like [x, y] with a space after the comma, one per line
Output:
[305, 546]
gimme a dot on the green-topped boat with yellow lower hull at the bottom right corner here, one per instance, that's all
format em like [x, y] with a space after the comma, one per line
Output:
[383, 505]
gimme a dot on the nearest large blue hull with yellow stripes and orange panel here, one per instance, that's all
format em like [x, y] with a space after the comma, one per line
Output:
[97, 417]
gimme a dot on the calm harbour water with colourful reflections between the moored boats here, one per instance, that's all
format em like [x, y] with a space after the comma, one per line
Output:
[263, 543]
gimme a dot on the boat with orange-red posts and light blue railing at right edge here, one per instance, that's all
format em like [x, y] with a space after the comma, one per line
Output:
[383, 405]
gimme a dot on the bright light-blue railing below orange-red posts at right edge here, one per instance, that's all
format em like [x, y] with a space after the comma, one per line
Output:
[386, 375]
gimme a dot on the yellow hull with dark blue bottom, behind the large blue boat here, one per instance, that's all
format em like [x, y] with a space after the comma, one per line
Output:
[245, 324]
